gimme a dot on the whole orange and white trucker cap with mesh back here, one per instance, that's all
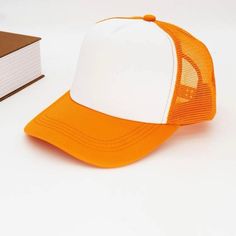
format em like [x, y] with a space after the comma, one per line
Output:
[138, 80]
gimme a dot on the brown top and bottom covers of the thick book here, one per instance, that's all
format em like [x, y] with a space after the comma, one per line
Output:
[10, 43]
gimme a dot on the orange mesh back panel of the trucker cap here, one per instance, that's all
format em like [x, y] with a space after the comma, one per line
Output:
[194, 98]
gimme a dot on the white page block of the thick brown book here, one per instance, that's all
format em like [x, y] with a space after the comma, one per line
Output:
[19, 68]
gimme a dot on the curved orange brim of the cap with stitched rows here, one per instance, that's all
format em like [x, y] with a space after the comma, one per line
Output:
[94, 137]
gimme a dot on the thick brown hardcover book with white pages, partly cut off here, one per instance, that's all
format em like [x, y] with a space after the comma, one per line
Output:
[20, 62]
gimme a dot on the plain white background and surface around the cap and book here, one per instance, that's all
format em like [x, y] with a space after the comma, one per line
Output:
[187, 187]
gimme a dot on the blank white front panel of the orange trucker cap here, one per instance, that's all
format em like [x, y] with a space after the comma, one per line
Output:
[126, 69]
